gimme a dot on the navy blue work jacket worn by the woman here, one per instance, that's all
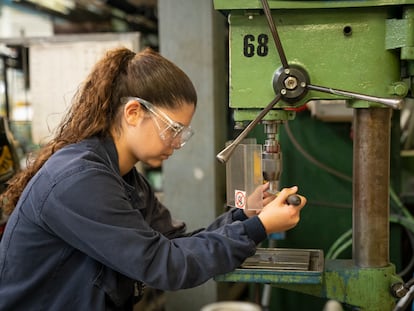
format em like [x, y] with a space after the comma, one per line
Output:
[82, 235]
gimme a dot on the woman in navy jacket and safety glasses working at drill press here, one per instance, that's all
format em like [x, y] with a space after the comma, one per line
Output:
[87, 231]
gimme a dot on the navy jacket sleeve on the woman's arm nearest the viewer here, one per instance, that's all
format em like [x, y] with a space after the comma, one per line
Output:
[91, 211]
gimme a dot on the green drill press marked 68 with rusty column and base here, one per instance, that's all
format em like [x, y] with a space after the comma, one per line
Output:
[284, 54]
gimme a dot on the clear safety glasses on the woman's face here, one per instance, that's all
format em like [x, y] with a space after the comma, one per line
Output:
[172, 132]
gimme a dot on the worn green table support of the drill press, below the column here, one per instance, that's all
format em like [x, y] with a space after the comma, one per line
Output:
[367, 289]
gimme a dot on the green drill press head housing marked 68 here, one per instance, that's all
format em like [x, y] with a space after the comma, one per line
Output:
[342, 49]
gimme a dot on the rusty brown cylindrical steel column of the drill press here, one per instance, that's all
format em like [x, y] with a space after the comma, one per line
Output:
[371, 175]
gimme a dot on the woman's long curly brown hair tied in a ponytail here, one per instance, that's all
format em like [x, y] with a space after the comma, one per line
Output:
[96, 105]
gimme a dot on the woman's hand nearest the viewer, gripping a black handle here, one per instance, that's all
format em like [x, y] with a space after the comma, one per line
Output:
[278, 215]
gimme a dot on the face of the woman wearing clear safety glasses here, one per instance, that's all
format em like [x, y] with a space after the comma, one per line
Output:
[152, 134]
